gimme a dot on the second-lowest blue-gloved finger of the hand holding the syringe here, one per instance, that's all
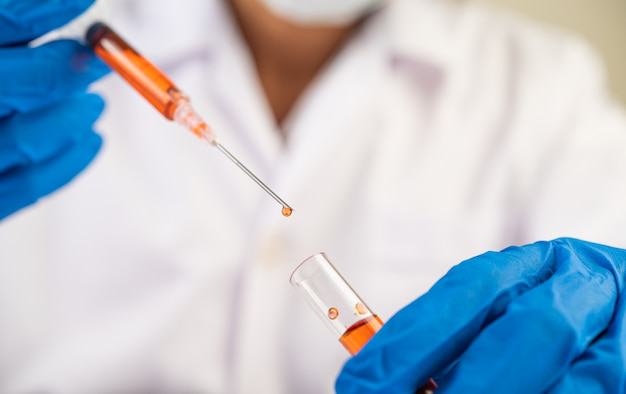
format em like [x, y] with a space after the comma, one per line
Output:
[37, 136]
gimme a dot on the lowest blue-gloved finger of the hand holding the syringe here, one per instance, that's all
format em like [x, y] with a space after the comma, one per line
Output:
[22, 186]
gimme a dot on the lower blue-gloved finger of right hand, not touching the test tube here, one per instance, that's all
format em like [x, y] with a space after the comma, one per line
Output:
[541, 333]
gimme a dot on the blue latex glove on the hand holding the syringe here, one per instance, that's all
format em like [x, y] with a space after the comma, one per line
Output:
[46, 117]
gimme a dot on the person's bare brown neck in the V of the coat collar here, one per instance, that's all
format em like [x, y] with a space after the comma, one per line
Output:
[287, 56]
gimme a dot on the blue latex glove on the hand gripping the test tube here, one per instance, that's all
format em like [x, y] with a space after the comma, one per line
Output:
[546, 317]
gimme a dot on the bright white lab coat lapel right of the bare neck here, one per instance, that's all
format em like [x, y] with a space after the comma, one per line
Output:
[317, 124]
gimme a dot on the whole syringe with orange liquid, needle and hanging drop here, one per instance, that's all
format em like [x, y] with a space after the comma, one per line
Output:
[152, 84]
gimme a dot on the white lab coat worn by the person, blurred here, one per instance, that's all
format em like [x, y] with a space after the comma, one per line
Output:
[441, 131]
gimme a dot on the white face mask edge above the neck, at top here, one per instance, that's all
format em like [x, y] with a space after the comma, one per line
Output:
[321, 12]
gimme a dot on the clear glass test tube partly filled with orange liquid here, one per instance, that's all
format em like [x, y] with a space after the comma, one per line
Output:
[338, 305]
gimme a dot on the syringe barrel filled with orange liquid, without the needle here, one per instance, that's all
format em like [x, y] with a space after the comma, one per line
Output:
[145, 77]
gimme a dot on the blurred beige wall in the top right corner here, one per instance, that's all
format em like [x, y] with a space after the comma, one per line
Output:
[600, 22]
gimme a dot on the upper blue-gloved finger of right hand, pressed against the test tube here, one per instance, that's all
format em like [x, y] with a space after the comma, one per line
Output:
[429, 334]
